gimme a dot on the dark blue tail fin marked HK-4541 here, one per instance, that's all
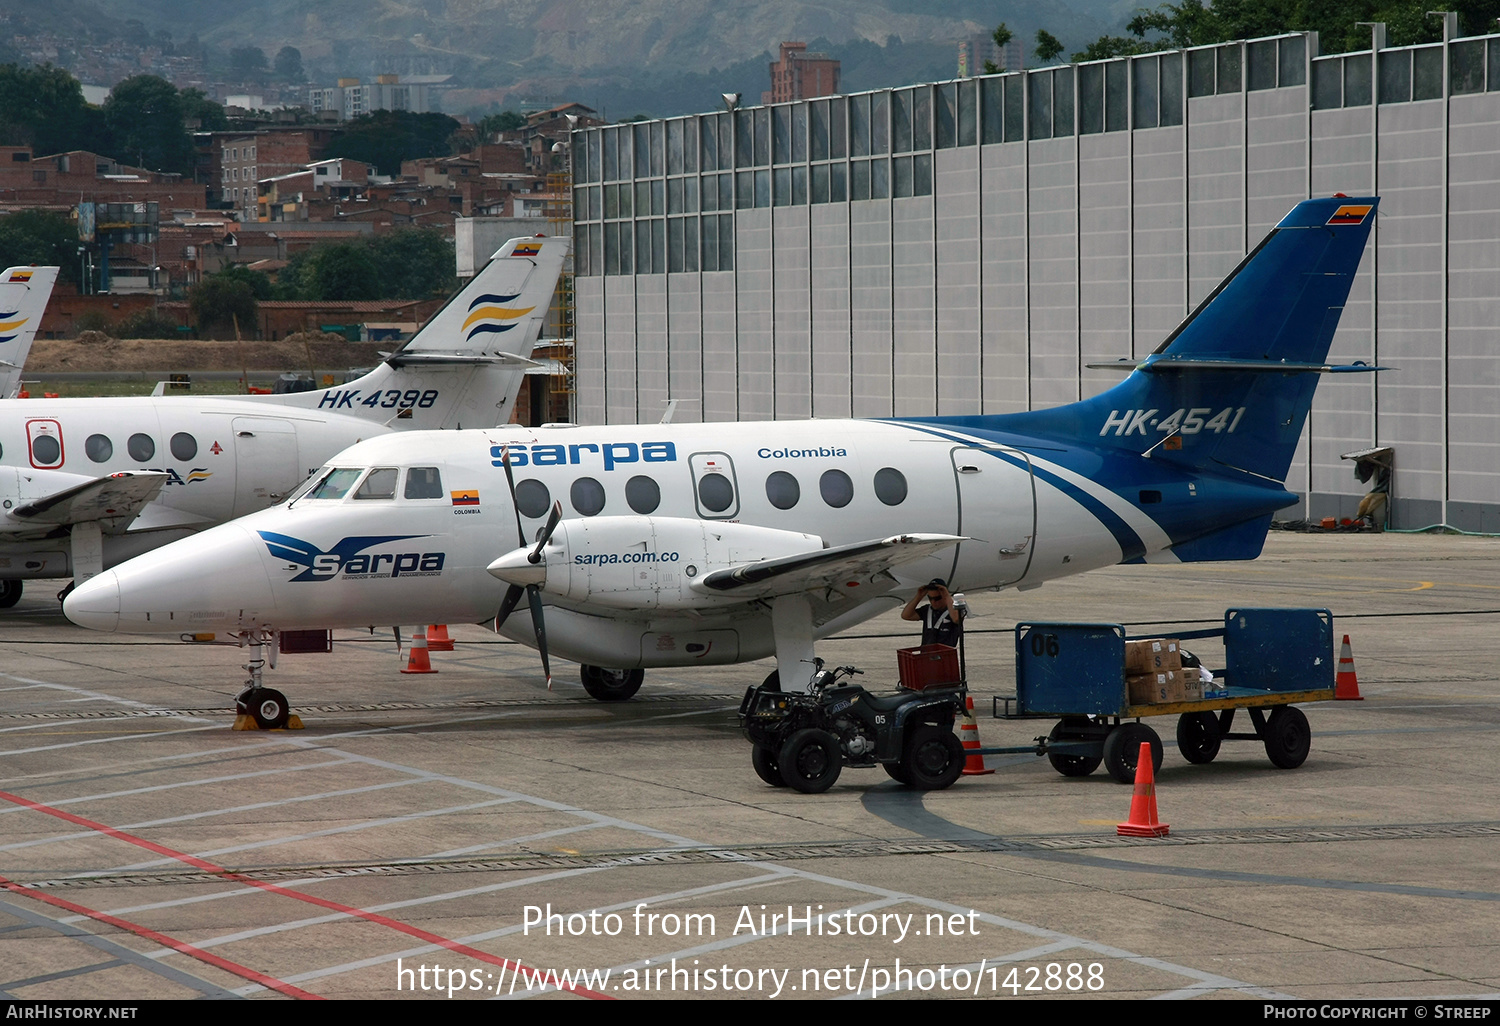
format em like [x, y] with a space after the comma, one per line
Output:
[1232, 386]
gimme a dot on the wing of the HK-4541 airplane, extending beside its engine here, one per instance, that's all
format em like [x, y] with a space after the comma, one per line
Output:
[823, 568]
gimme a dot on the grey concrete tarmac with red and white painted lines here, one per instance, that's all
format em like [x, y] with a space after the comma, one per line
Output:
[412, 841]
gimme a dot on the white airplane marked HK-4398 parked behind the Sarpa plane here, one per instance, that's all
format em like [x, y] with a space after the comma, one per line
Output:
[88, 484]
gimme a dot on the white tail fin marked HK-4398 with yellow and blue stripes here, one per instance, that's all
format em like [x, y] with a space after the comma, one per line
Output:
[464, 368]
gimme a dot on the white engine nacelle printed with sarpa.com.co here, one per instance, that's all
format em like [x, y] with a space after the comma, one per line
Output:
[646, 562]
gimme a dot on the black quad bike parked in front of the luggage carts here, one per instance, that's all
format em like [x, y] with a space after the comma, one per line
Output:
[803, 742]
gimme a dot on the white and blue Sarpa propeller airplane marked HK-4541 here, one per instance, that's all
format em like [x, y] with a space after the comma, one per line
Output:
[694, 545]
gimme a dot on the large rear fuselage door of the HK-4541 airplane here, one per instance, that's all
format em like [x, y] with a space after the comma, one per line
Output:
[998, 512]
